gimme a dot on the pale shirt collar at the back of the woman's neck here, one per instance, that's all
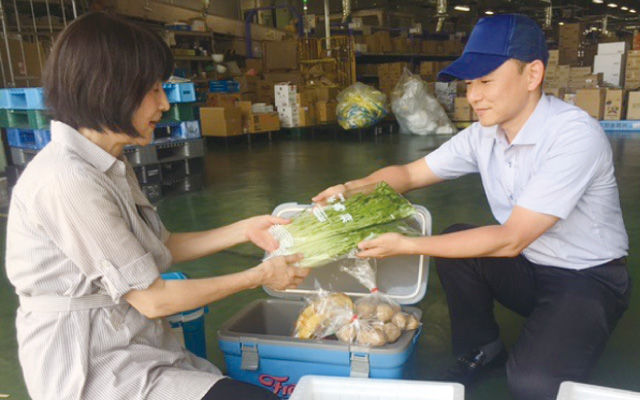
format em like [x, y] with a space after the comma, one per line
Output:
[85, 148]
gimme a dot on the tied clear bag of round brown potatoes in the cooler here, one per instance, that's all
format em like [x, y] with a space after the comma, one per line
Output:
[377, 306]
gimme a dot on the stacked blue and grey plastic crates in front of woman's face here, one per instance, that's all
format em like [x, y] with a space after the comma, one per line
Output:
[174, 161]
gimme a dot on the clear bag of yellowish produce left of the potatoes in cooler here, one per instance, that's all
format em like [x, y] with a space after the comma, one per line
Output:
[324, 315]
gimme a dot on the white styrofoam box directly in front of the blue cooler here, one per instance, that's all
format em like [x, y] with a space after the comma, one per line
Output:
[338, 388]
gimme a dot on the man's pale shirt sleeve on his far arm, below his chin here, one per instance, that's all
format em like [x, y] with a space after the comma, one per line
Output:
[456, 157]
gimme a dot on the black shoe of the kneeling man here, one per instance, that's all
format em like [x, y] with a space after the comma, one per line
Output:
[469, 367]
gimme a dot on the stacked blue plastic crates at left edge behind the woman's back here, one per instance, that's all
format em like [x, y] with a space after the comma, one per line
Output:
[23, 115]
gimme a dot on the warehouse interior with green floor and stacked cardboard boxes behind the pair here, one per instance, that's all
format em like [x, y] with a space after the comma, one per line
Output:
[255, 123]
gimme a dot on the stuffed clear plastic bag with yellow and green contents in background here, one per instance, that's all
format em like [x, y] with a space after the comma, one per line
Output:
[360, 106]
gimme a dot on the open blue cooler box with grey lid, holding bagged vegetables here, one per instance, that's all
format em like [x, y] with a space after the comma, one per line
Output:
[258, 342]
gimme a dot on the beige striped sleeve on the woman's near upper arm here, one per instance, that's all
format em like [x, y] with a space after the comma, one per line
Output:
[84, 217]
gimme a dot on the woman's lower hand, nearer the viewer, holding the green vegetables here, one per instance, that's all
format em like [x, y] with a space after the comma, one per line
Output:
[280, 273]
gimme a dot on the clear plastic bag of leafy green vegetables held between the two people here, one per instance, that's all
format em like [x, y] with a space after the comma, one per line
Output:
[328, 232]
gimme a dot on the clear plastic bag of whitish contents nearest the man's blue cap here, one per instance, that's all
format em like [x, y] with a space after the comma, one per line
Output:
[417, 111]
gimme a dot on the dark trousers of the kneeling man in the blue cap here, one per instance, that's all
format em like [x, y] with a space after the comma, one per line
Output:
[569, 314]
